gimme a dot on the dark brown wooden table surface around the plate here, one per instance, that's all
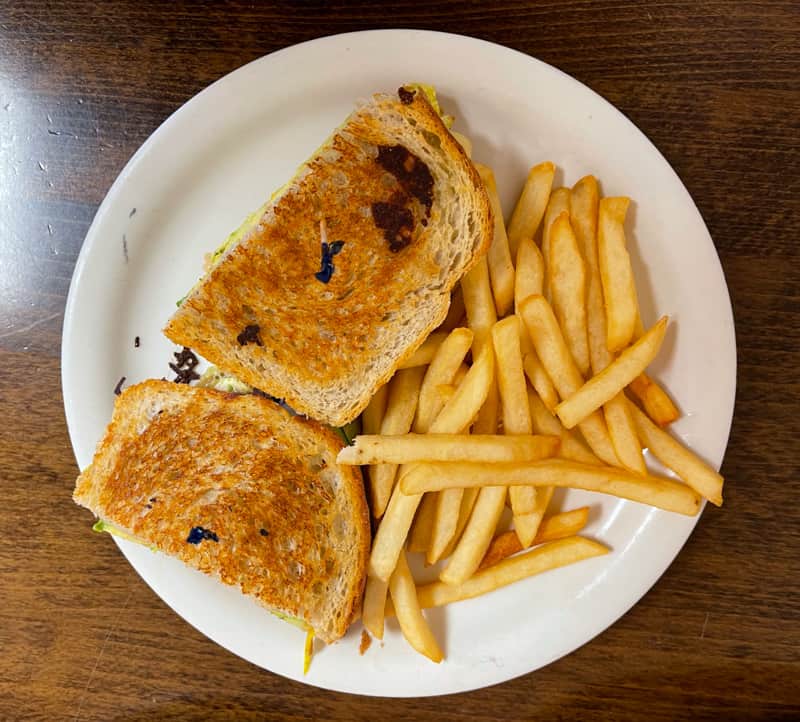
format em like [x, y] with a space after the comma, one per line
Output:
[713, 84]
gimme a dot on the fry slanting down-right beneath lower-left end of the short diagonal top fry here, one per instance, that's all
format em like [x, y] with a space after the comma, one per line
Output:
[557, 361]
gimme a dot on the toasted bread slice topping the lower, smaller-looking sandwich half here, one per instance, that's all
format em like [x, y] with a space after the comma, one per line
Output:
[240, 489]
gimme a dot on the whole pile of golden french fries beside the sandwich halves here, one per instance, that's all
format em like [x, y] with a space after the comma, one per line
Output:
[549, 319]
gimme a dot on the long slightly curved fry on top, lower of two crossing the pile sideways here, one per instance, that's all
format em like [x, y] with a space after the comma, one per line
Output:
[654, 490]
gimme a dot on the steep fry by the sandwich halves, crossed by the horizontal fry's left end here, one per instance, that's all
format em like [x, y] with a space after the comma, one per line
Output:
[400, 407]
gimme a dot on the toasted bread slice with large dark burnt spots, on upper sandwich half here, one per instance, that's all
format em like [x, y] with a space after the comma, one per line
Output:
[404, 215]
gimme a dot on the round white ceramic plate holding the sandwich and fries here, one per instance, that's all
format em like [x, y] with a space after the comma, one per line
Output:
[223, 152]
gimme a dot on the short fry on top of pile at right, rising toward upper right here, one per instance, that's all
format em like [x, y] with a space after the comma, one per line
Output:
[613, 378]
